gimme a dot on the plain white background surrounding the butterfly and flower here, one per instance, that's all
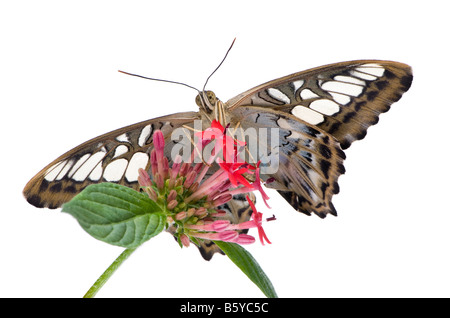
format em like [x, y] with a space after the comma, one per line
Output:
[60, 86]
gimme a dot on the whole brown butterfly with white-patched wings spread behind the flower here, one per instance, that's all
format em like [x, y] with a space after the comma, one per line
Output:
[318, 113]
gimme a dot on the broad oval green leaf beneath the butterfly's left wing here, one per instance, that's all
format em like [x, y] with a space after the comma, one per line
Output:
[116, 214]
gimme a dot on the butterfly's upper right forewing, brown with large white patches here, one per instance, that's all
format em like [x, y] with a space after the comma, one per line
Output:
[343, 99]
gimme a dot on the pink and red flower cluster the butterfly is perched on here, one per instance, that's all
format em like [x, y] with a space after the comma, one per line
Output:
[191, 199]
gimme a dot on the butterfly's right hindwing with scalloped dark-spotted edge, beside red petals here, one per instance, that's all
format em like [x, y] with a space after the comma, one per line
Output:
[310, 160]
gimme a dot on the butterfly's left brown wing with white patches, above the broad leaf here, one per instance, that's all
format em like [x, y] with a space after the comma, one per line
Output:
[112, 157]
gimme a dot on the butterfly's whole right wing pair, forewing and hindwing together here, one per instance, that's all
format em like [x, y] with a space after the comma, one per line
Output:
[319, 112]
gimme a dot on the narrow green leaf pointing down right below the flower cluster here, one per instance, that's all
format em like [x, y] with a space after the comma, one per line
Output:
[245, 261]
